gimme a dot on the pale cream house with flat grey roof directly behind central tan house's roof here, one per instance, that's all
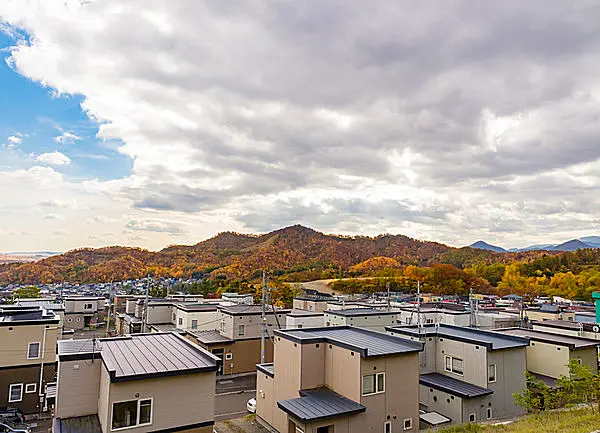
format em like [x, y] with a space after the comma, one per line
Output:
[369, 318]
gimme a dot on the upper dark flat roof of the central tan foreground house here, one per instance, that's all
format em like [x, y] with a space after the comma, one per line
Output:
[367, 343]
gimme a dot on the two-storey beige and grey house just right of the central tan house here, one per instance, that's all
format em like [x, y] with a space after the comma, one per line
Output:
[468, 375]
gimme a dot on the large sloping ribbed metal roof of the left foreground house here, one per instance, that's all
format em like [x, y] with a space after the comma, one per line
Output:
[157, 354]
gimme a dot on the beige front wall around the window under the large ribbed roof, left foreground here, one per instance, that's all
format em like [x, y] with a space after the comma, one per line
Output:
[178, 401]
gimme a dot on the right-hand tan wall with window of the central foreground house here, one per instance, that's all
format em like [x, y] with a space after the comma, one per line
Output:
[400, 400]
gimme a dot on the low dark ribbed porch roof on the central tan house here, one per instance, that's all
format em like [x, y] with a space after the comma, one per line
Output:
[318, 404]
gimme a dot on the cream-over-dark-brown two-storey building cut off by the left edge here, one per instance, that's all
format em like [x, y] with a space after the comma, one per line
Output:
[28, 338]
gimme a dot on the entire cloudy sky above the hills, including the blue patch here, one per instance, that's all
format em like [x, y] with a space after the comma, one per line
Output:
[148, 123]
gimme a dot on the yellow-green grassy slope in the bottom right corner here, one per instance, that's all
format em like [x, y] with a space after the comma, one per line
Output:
[564, 421]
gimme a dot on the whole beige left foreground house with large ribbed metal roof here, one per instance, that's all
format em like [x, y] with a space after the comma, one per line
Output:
[158, 382]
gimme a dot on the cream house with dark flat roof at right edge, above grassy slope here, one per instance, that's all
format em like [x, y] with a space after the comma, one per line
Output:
[548, 354]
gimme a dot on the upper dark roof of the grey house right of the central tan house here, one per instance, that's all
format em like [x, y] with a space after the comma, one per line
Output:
[491, 340]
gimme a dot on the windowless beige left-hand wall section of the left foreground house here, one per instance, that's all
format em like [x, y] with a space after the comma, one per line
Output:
[78, 387]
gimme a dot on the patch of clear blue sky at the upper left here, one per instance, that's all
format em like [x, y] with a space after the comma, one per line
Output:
[31, 111]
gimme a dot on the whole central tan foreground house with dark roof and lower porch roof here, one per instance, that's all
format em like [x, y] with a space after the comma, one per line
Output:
[339, 379]
